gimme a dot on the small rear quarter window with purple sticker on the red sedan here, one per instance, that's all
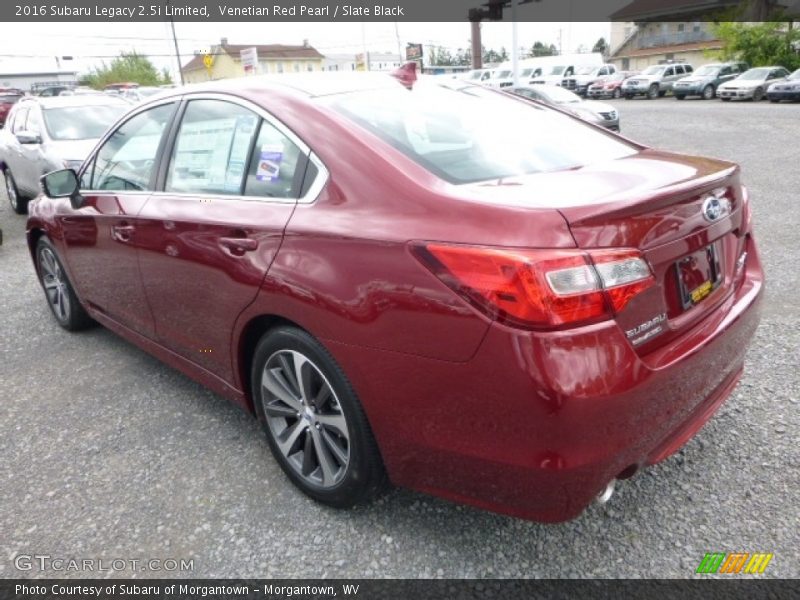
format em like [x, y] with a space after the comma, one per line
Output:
[276, 166]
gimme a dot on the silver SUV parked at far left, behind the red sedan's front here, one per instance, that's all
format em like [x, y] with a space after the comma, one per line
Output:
[47, 134]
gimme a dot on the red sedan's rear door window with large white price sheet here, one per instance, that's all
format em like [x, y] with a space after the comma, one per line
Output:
[212, 147]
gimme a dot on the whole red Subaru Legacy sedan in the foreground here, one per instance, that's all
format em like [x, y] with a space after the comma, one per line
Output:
[469, 295]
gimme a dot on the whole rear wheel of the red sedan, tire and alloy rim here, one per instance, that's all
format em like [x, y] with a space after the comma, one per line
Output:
[315, 425]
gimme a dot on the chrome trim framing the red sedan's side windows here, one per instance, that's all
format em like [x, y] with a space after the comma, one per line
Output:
[308, 198]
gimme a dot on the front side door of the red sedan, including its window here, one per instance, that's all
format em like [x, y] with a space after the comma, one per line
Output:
[100, 235]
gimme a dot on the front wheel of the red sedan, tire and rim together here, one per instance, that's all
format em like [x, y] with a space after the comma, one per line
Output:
[68, 312]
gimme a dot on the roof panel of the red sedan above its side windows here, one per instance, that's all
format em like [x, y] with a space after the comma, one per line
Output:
[308, 84]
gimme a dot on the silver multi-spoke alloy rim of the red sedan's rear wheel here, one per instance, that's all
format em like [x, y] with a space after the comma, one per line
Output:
[305, 418]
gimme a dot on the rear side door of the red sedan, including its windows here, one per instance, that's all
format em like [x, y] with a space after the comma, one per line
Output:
[230, 183]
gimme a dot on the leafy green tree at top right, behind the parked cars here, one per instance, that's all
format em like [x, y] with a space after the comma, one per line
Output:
[760, 44]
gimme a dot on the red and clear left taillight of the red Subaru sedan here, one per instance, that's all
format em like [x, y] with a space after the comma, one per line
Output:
[539, 289]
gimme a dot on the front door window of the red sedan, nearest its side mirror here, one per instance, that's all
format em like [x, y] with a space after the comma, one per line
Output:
[127, 159]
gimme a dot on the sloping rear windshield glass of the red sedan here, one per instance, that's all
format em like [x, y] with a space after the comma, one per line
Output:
[463, 138]
